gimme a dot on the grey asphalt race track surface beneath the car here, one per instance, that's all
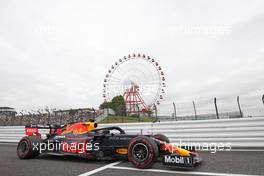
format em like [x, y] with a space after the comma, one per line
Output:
[221, 163]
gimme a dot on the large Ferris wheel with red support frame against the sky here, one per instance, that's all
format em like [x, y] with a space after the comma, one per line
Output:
[139, 79]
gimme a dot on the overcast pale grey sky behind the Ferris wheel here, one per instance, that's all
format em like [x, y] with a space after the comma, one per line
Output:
[56, 53]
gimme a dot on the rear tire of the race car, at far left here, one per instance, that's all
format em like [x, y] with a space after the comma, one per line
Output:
[28, 147]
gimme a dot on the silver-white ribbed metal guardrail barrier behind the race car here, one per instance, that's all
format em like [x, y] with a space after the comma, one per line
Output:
[242, 132]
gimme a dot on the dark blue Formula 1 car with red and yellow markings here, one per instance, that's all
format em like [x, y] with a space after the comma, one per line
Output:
[84, 139]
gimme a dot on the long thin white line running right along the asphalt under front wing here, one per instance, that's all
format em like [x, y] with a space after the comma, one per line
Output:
[177, 172]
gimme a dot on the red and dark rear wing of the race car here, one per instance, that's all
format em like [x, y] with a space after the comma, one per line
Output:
[33, 129]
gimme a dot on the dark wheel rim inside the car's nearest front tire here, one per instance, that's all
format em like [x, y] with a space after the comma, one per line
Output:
[140, 152]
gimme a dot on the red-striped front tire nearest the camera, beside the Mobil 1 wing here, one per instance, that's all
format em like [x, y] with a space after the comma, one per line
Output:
[142, 152]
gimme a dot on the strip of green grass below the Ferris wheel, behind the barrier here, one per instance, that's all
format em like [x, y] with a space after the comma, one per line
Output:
[126, 119]
